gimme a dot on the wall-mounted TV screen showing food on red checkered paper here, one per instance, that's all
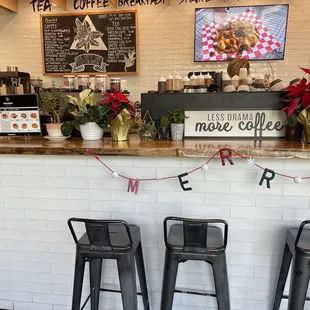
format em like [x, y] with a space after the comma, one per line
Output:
[250, 32]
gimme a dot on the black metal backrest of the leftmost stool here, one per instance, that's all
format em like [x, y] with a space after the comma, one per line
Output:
[98, 233]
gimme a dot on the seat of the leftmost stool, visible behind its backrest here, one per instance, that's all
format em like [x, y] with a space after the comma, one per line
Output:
[118, 236]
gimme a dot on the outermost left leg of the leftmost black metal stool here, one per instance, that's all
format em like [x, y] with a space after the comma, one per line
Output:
[78, 281]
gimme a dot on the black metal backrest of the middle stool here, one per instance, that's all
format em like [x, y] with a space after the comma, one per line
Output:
[195, 233]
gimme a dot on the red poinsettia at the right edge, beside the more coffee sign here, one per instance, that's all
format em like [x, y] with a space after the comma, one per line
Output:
[298, 98]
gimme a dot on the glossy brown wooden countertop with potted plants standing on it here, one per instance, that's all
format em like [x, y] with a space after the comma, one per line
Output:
[135, 147]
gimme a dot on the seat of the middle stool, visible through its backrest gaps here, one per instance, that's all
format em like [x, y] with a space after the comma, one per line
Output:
[176, 237]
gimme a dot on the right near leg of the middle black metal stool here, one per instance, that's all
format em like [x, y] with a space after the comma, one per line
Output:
[221, 282]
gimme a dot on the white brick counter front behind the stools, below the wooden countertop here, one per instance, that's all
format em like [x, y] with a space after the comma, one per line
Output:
[37, 251]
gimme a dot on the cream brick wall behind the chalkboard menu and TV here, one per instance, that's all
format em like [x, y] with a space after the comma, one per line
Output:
[166, 42]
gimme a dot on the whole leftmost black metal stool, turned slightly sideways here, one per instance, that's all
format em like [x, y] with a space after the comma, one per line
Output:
[109, 239]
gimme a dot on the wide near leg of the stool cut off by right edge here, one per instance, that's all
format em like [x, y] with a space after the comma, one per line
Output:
[299, 282]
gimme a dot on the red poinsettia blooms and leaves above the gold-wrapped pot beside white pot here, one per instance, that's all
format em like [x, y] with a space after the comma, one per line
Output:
[115, 103]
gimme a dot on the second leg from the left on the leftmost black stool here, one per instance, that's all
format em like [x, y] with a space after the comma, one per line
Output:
[95, 268]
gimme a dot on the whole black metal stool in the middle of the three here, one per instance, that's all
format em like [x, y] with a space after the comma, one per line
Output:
[195, 240]
